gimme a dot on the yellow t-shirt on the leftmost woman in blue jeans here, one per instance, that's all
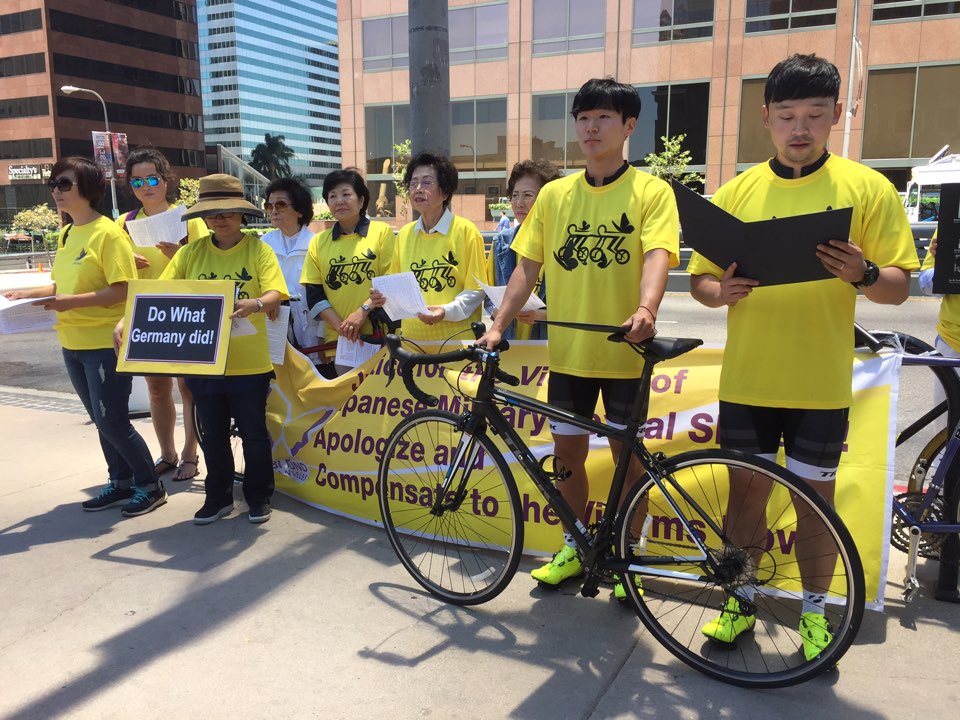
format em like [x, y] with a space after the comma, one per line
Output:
[95, 256]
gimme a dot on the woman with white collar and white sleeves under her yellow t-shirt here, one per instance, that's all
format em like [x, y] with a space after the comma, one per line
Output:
[444, 251]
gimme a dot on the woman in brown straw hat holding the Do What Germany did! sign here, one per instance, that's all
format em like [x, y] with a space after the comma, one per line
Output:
[229, 253]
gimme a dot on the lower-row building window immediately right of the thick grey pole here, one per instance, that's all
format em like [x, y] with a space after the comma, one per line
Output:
[478, 134]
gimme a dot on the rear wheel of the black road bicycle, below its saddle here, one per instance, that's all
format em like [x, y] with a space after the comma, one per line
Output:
[769, 539]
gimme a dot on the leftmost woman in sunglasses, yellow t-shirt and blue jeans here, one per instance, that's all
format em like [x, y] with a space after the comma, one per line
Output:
[91, 270]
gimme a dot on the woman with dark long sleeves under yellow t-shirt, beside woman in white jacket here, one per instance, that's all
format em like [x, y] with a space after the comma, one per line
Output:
[343, 260]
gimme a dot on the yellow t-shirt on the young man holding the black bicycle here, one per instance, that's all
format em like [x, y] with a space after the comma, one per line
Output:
[591, 241]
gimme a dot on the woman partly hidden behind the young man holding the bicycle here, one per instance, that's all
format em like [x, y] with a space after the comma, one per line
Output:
[523, 186]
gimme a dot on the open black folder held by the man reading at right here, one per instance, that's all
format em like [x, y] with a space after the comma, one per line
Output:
[773, 252]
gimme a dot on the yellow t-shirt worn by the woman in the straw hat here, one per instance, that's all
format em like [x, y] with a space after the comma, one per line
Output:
[253, 266]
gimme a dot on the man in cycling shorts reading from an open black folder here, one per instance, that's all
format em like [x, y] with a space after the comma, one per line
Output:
[787, 367]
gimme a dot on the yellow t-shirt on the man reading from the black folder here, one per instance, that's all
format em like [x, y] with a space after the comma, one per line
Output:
[791, 346]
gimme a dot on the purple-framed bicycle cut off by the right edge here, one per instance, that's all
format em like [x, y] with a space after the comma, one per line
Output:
[925, 516]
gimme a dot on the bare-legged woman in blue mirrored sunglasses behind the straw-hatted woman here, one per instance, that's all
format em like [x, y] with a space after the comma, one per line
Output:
[155, 186]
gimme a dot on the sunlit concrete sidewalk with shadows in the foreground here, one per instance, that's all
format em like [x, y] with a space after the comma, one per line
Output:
[311, 616]
